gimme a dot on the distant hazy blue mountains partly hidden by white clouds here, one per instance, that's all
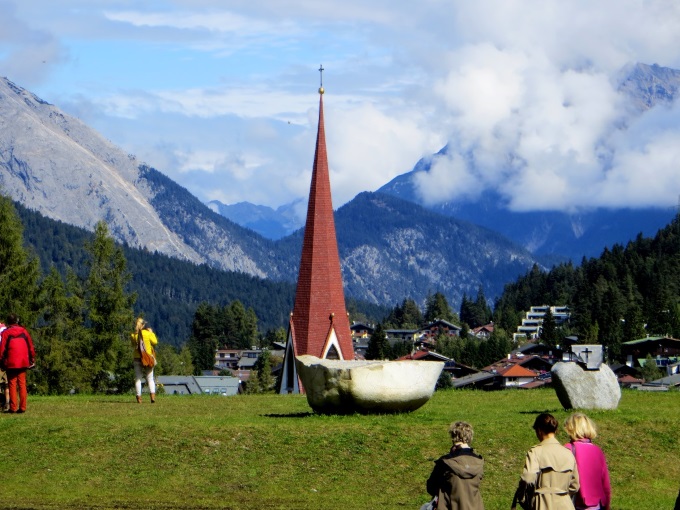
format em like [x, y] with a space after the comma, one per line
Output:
[551, 236]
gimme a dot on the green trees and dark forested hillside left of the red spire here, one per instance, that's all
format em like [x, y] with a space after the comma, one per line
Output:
[80, 310]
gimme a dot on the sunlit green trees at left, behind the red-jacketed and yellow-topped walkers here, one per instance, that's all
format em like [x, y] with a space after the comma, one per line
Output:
[82, 319]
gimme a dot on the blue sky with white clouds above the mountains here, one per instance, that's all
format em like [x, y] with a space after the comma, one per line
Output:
[222, 96]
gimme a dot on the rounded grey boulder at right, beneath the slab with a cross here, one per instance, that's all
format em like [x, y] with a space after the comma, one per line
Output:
[579, 388]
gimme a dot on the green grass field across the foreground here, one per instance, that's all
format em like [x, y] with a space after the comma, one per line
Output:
[268, 451]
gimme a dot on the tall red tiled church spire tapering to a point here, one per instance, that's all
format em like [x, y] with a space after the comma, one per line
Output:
[319, 299]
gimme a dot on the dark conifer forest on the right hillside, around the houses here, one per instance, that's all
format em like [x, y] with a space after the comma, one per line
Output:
[626, 294]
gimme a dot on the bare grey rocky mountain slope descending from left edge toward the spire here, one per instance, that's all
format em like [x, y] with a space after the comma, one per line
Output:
[56, 165]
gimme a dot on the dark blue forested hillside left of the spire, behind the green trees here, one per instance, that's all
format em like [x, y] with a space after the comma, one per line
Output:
[169, 290]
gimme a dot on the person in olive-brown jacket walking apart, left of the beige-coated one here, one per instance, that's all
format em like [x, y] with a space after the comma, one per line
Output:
[455, 479]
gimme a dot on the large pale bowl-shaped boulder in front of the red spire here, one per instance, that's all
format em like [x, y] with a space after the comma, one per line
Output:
[343, 387]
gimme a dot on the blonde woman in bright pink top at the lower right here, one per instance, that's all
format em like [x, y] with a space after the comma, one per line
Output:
[595, 492]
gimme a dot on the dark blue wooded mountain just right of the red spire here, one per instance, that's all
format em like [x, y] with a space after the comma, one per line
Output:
[392, 249]
